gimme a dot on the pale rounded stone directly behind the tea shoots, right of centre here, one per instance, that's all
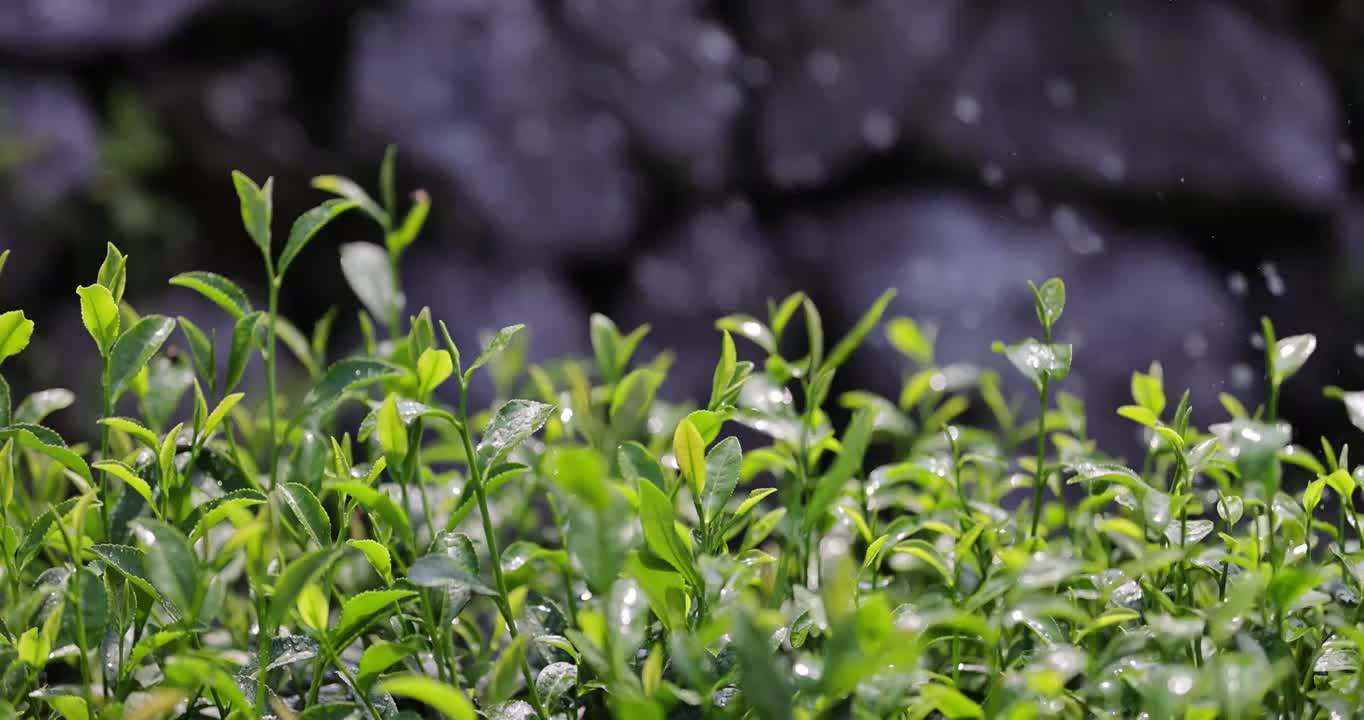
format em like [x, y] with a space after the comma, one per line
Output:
[961, 264]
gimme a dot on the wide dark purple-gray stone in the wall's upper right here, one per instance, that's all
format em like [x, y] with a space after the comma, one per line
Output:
[1131, 99]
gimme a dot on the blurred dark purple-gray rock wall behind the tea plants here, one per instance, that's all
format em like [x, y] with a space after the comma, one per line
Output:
[1185, 166]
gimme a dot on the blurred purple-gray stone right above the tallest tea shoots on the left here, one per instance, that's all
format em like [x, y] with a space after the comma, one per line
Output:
[482, 95]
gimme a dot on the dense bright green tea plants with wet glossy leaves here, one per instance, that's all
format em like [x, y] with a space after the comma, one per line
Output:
[368, 545]
